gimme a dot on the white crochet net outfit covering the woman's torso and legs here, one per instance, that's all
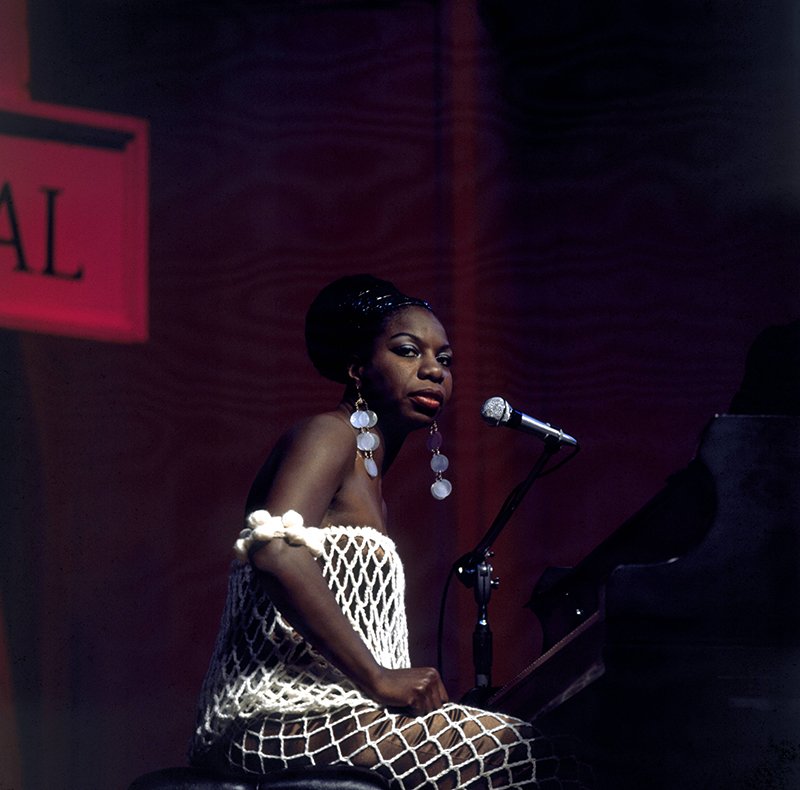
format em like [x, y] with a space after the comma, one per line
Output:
[269, 701]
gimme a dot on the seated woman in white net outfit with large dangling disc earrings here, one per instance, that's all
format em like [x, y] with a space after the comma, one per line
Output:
[311, 665]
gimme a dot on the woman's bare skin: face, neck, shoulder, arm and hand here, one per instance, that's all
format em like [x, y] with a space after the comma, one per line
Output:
[407, 380]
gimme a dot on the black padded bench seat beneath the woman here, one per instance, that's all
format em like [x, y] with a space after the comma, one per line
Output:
[332, 777]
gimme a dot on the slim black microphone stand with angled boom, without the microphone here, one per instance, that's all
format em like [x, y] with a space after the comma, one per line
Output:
[474, 570]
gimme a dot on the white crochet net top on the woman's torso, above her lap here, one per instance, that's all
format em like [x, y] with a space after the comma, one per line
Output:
[261, 664]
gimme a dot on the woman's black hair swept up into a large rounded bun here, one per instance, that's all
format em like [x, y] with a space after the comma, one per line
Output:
[346, 317]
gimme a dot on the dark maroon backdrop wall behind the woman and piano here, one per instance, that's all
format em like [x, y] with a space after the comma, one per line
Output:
[600, 200]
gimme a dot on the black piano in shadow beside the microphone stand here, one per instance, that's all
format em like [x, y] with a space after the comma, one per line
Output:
[672, 651]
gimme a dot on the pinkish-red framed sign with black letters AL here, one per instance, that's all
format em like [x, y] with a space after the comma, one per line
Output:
[73, 222]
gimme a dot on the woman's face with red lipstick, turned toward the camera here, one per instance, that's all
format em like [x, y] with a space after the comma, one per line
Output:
[409, 373]
